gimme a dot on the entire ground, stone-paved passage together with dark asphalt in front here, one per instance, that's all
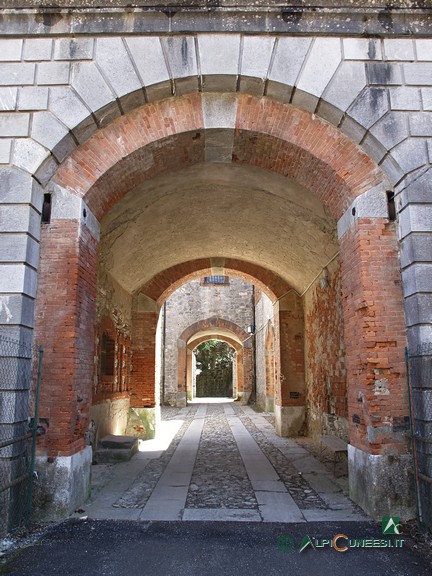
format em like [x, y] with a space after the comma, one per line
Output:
[219, 494]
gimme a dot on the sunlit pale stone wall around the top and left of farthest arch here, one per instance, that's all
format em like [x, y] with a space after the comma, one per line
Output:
[194, 302]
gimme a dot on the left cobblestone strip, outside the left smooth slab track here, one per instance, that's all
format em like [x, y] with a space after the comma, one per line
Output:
[138, 494]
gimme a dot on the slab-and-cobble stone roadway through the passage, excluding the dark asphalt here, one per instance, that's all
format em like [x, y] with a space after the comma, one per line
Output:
[221, 462]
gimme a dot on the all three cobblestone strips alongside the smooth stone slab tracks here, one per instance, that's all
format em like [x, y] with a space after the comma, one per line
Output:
[219, 479]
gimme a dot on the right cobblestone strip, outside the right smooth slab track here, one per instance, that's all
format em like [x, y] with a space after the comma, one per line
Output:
[304, 496]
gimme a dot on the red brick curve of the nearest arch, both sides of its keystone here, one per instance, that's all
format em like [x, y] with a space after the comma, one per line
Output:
[170, 135]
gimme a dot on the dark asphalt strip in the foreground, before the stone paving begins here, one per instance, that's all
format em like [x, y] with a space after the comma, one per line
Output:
[109, 547]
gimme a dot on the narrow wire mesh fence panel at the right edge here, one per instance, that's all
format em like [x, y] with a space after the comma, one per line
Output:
[419, 376]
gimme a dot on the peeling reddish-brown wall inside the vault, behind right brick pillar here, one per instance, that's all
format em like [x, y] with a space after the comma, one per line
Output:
[327, 409]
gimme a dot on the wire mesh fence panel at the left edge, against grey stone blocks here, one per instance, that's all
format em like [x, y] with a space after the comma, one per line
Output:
[20, 375]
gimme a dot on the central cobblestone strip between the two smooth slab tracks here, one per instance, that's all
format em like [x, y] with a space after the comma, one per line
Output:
[219, 478]
